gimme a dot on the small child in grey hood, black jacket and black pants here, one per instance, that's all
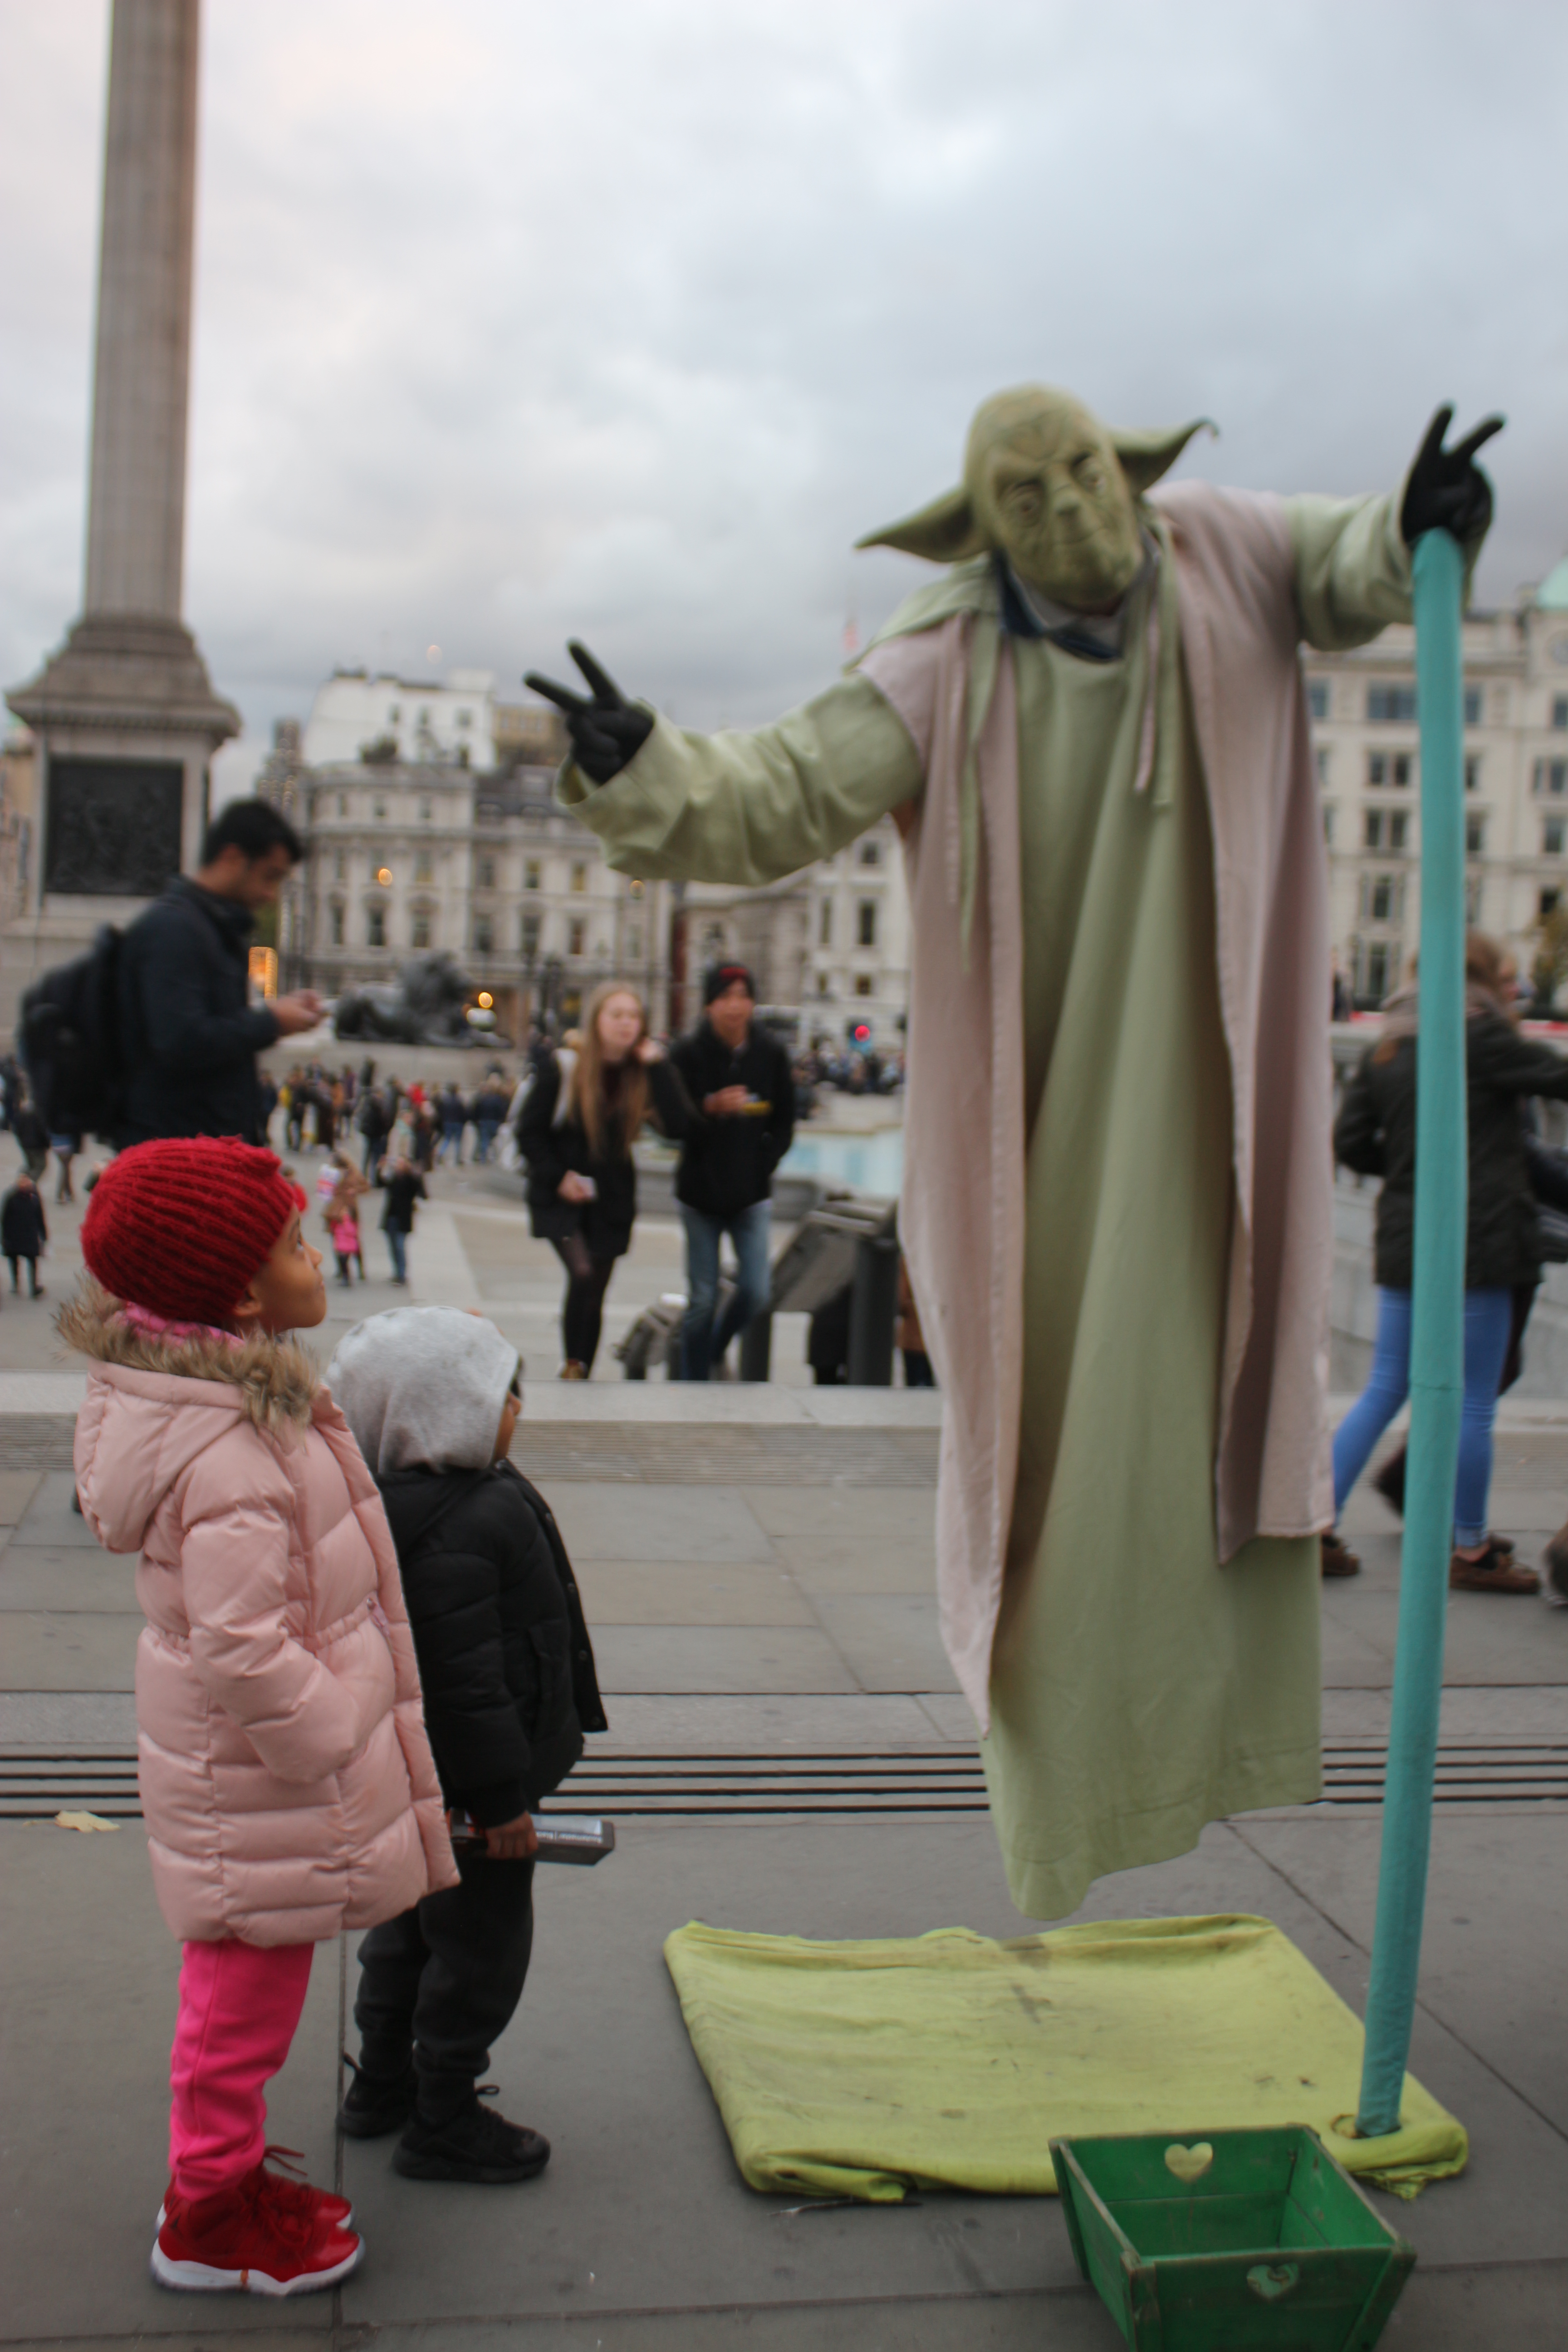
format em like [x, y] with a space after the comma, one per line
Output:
[509, 1690]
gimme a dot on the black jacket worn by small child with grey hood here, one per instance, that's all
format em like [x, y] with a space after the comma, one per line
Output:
[504, 1655]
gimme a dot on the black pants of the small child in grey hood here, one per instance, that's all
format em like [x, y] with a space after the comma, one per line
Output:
[445, 1979]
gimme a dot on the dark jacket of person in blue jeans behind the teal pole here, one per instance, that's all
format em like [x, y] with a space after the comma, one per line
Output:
[1376, 1137]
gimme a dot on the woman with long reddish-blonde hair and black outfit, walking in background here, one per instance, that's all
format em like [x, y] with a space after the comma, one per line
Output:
[577, 1132]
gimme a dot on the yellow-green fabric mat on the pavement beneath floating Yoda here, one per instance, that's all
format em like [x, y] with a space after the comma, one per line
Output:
[951, 2062]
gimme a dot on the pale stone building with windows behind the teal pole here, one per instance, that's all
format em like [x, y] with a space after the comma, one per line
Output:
[1515, 784]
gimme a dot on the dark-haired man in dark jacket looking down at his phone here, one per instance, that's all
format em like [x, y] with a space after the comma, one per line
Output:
[189, 1034]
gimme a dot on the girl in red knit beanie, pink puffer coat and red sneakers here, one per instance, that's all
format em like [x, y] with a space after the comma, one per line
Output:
[283, 1760]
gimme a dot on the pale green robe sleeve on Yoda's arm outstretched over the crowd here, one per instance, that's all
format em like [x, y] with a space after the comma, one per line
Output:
[753, 808]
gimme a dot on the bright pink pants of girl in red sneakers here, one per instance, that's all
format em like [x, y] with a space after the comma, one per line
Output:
[239, 2012]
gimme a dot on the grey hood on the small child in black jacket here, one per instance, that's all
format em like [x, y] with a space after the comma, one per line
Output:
[424, 1387]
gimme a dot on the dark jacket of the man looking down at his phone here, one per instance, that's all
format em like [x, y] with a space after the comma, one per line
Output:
[189, 1029]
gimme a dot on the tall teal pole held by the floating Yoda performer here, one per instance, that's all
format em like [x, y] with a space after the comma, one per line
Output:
[1438, 1335]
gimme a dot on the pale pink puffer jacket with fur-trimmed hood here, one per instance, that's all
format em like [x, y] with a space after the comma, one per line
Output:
[286, 1772]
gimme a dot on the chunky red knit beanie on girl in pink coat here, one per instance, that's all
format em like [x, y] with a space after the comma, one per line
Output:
[182, 1227]
